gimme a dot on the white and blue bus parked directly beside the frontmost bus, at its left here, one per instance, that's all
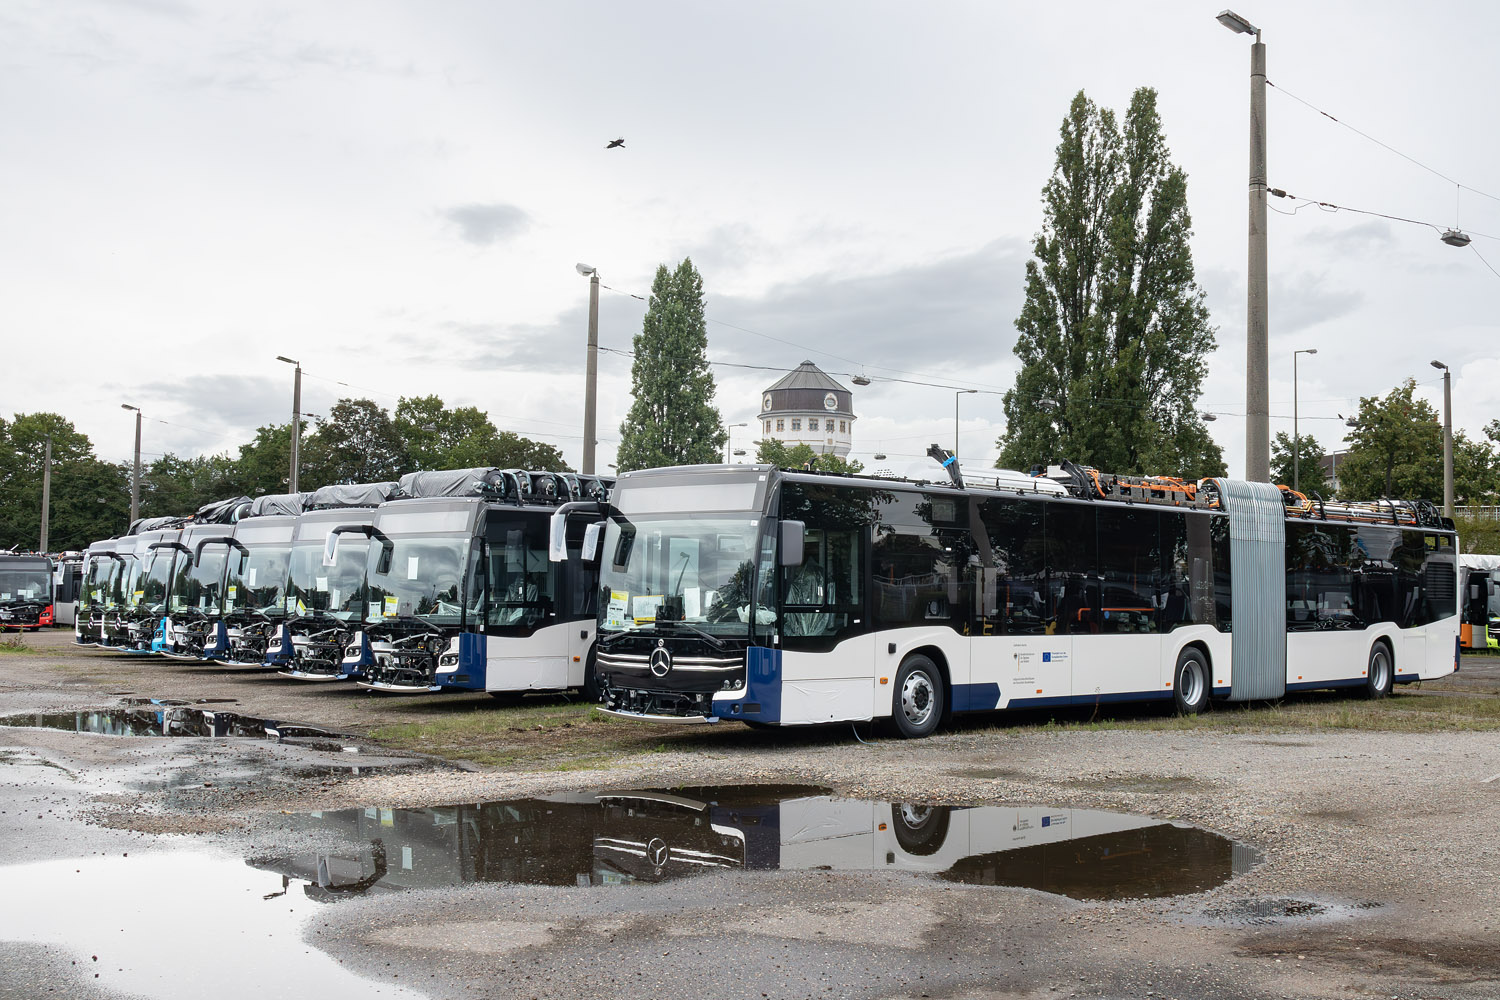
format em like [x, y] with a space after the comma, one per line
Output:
[463, 593]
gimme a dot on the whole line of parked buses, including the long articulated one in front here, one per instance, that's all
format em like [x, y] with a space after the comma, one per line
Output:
[791, 597]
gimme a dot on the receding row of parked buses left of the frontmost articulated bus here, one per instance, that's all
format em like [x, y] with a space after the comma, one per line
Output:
[437, 582]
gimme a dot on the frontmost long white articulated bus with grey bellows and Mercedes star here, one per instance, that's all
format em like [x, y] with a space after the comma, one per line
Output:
[776, 597]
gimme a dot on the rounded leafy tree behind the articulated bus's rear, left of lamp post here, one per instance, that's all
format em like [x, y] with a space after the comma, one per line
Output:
[1396, 449]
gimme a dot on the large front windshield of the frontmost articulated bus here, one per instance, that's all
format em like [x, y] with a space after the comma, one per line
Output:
[695, 570]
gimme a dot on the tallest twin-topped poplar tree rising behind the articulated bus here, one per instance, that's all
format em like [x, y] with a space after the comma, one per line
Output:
[1115, 332]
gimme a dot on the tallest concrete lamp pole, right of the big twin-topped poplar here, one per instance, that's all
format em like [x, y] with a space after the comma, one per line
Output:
[1258, 392]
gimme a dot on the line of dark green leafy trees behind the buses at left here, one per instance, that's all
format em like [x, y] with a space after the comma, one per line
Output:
[358, 443]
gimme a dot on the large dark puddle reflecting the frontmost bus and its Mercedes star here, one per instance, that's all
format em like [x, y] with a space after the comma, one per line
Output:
[601, 839]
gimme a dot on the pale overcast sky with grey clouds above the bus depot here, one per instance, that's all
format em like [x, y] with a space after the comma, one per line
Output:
[397, 194]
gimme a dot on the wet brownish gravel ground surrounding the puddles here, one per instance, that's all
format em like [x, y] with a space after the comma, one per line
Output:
[1394, 836]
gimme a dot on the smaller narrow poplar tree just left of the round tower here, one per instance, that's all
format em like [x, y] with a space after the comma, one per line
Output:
[673, 419]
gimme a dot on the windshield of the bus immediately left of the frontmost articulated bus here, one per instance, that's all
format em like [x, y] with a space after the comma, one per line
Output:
[419, 576]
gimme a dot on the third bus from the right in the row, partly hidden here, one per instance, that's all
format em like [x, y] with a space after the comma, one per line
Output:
[326, 594]
